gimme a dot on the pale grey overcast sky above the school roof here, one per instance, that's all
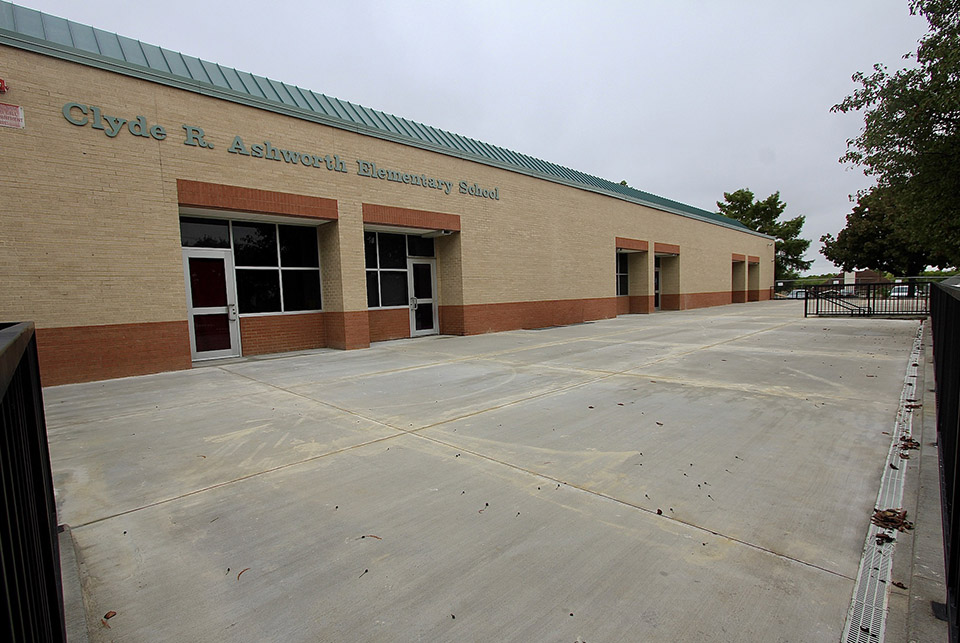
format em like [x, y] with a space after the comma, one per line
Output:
[685, 99]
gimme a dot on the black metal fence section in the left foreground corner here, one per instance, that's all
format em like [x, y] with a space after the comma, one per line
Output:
[29, 544]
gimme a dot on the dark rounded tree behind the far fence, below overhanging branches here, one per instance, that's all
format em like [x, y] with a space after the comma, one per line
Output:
[878, 236]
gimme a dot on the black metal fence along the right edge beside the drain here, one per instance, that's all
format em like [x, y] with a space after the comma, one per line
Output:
[945, 322]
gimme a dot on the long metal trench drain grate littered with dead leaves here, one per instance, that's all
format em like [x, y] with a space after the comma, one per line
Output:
[866, 619]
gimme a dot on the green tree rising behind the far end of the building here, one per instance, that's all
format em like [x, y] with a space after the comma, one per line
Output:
[763, 216]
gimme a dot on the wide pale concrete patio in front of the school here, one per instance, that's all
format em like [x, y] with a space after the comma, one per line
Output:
[696, 475]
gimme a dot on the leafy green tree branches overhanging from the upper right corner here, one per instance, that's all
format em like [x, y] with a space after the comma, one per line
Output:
[910, 141]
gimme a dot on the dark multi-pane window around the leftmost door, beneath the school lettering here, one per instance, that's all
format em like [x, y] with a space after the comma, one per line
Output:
[277, 267]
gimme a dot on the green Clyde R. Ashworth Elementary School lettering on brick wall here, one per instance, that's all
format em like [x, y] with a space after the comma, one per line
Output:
[83, 115]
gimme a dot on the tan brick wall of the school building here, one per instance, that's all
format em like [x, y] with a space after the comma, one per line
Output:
[91, 230]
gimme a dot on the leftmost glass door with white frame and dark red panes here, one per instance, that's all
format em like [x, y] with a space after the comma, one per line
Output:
[211, 303]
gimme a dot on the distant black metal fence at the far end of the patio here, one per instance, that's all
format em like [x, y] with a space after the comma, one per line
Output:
[910, 299]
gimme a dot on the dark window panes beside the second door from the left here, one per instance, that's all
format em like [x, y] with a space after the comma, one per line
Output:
[386, 262]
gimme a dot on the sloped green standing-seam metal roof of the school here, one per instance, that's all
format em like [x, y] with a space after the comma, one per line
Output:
[40, 32]
